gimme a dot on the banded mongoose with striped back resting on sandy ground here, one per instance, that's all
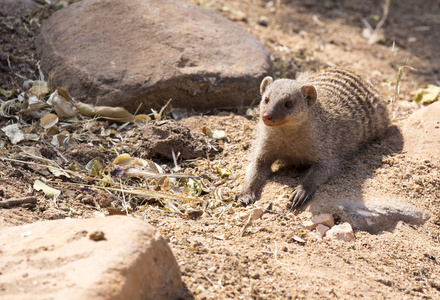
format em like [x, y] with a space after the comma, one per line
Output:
[312, 122]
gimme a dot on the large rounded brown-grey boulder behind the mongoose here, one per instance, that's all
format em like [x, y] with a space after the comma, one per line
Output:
[128, 52]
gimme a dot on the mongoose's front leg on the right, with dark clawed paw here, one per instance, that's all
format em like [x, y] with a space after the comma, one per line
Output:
[317, 175]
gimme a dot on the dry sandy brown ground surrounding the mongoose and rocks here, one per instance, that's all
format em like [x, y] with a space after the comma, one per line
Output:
[221, 256]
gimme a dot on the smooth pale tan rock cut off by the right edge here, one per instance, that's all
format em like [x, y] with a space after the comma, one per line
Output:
[421, 133]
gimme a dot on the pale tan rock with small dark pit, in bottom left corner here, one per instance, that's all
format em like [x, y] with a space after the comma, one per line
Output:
[105, 258]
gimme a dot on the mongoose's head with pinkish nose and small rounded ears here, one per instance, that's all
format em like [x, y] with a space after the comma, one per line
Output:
[285, 101]
